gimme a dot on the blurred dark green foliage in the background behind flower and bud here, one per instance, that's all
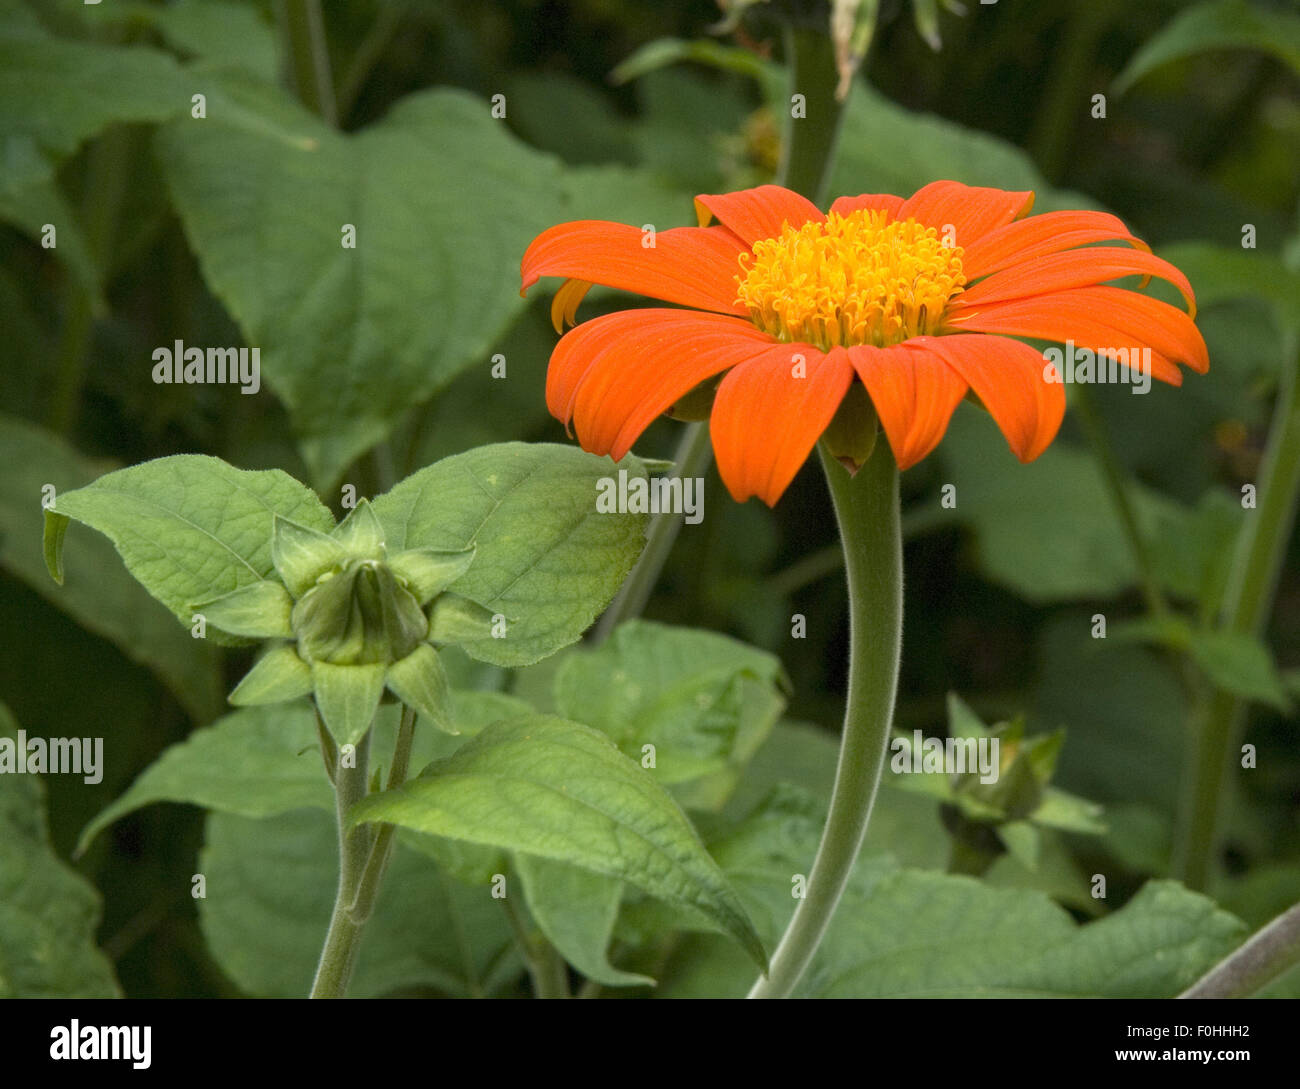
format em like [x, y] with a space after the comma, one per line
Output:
[226, 232]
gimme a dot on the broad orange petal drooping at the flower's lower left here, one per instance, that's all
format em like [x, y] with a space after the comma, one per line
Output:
[616, 375]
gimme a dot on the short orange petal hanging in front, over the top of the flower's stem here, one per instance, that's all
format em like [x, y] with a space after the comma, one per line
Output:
[915, 393]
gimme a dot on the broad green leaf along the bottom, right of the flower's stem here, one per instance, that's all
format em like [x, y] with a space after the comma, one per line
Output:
[937, 936]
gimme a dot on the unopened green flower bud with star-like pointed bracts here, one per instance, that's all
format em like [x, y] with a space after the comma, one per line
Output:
[348, 622]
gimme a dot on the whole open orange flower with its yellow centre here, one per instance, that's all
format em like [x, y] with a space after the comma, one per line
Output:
[918, 300]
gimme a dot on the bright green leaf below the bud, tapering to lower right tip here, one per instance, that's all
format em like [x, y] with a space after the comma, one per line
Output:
[547, 787]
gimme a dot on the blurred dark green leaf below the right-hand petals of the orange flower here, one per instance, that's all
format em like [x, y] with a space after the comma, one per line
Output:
[1047, 531]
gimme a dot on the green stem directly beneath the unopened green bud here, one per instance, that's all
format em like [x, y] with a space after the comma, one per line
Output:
[344, 938]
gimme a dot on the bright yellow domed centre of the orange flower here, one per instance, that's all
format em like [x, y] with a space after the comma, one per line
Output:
[852, 280]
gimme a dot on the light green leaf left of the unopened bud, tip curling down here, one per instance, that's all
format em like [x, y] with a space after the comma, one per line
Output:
[189, 528]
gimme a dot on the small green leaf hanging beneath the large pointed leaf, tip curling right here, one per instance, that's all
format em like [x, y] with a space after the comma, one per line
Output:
[575, 910]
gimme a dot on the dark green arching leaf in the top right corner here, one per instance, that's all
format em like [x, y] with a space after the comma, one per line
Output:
[1217, 25]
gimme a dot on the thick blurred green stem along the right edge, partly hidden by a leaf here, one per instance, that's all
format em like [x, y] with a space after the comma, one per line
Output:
[1262, 550]
